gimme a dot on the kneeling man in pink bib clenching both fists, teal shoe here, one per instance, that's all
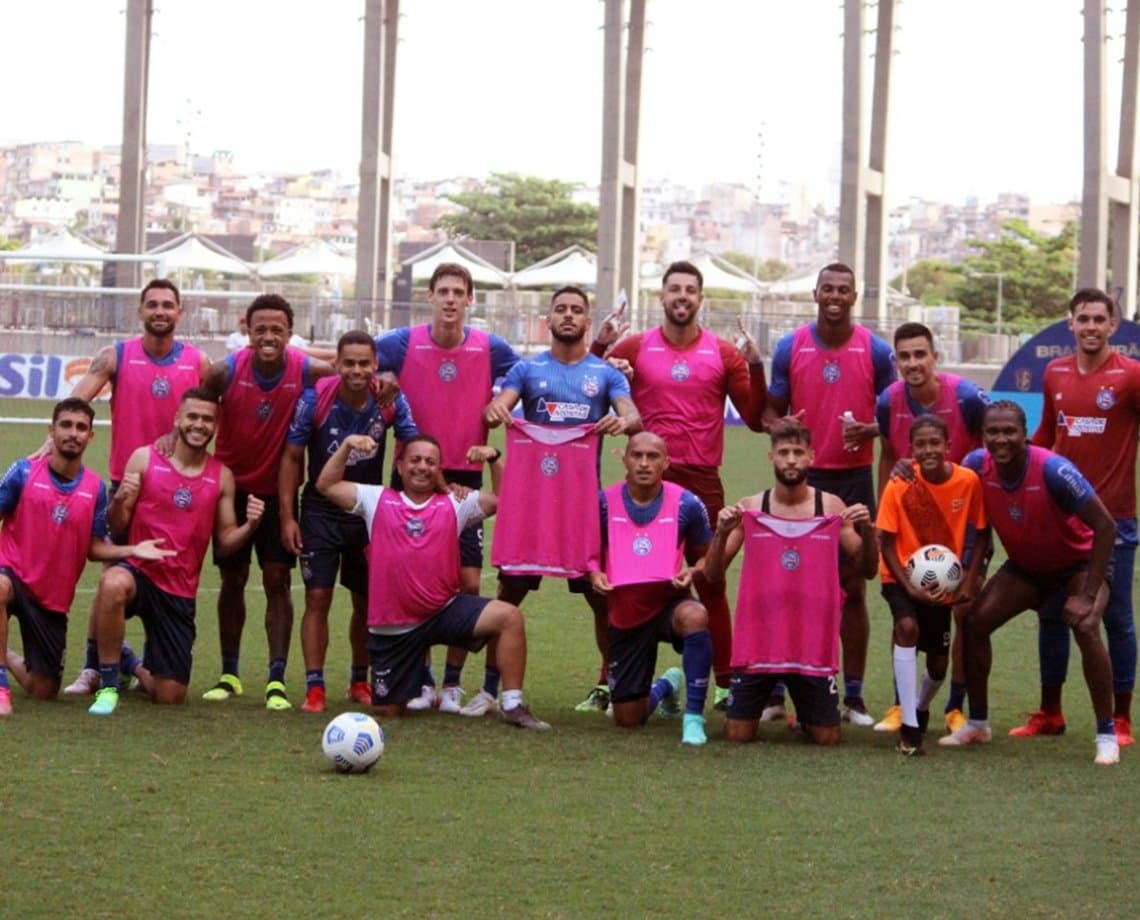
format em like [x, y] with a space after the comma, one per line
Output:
[181, 501]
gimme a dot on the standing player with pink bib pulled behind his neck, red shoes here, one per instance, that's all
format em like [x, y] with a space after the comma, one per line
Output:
[328, 538]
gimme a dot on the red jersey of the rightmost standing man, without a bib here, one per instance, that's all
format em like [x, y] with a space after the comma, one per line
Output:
[1094, 421]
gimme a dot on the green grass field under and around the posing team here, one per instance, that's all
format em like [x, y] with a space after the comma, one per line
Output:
[227, 810]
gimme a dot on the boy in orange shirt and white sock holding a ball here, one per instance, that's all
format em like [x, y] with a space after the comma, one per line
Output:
[939, 507]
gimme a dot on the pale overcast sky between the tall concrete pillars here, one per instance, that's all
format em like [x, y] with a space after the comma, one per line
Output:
[987, 94]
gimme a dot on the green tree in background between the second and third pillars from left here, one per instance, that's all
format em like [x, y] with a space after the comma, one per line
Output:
[539, 216]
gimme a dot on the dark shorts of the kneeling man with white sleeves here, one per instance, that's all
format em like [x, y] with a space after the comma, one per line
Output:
[397, 661]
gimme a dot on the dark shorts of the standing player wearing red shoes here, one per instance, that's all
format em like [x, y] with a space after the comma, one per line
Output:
[333, 540]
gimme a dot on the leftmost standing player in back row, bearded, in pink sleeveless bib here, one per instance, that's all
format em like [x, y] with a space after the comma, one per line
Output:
[149, 376]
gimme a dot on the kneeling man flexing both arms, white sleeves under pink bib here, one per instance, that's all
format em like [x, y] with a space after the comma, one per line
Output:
[414, 590]
